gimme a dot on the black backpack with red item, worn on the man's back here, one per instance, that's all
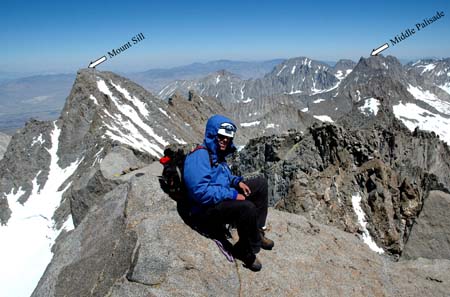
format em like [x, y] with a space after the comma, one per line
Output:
[171, 180]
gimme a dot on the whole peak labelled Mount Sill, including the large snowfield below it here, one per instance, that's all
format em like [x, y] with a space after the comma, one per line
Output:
[39, 197]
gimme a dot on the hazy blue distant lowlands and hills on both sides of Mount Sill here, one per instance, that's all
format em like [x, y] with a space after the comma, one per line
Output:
[43, 96]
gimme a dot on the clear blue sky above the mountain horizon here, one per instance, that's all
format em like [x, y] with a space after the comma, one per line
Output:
[63, 36]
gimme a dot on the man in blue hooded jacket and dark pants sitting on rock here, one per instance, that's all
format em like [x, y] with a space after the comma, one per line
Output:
[220, 198]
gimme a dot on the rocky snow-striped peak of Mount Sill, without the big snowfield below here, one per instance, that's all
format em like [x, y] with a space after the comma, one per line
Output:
[102, 111]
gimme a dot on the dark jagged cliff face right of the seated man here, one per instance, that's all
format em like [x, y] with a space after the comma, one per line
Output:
[326, 173]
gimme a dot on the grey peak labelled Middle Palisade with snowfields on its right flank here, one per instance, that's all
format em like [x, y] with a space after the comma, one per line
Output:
[415, 100]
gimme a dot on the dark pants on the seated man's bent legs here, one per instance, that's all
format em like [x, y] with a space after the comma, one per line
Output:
[248, 216]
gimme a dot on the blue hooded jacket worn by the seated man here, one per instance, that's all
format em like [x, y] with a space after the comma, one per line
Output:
[206, 184]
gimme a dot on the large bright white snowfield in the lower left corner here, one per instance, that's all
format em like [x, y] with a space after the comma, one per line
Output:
[25, 249]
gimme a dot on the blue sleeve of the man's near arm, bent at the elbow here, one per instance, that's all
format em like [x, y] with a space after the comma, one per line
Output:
[197, 177]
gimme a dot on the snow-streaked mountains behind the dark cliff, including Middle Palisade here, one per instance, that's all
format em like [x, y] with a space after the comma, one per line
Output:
[415, 92]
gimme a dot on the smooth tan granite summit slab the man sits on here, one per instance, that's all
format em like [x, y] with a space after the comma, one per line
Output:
[135, 244]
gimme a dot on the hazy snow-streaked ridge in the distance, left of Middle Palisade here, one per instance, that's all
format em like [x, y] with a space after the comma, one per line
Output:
[293, 76]
